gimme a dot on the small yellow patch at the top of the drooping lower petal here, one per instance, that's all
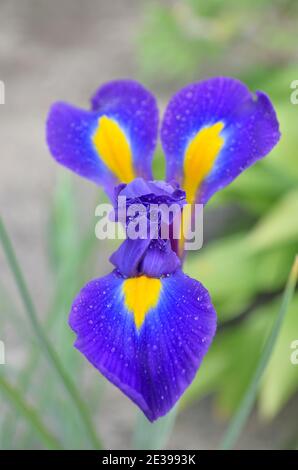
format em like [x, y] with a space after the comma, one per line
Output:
[141, 294]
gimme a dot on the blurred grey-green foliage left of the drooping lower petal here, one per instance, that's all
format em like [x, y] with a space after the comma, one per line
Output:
[71, 257]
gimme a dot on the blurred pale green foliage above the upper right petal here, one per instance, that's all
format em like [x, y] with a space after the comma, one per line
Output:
[183, 39]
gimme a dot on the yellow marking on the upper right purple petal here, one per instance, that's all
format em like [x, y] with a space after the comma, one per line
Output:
[200, 156]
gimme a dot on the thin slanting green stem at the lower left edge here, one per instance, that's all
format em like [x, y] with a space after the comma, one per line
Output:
[45, 342]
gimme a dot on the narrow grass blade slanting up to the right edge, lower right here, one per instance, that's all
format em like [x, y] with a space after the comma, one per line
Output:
[239, 420]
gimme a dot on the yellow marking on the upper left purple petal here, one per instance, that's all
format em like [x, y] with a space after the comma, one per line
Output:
[113, 148]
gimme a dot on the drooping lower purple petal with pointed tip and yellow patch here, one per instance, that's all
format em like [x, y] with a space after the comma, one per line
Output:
[148, 336]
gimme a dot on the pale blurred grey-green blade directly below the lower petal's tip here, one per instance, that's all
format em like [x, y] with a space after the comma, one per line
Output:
[153, 436]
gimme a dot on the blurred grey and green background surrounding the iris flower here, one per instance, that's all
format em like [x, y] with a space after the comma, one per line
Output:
[63, 50]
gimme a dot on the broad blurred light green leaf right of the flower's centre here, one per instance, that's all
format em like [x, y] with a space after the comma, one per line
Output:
[238, 268]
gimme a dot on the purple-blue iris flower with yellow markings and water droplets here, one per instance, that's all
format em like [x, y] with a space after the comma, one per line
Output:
[146, 326]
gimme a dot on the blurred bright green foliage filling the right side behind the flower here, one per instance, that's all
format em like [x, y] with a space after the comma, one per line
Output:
[245, 269]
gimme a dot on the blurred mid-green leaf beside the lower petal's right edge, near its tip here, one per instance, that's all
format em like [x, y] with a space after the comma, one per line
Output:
[228, 367]
